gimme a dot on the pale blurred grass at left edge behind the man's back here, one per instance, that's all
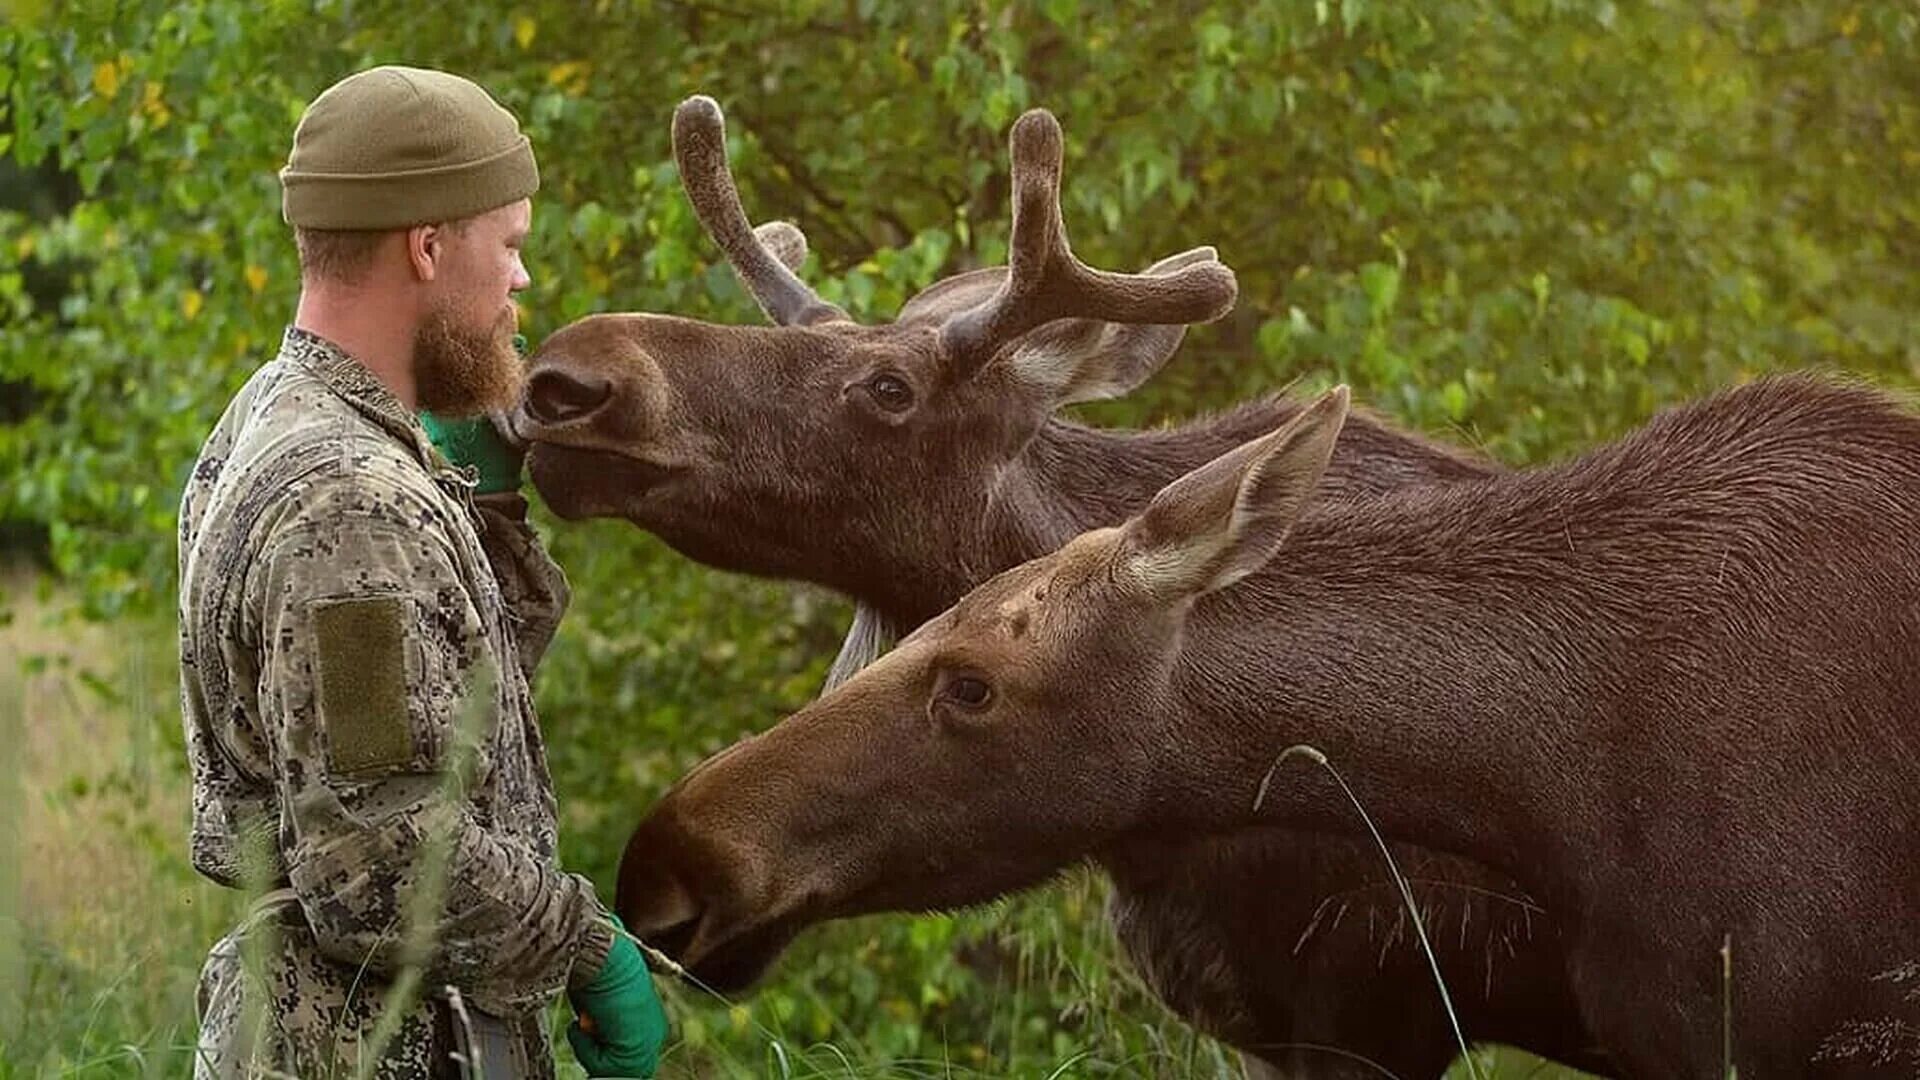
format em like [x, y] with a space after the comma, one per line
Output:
[103, 920]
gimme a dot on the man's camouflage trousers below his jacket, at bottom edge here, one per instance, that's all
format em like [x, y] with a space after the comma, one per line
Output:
[291, 1012]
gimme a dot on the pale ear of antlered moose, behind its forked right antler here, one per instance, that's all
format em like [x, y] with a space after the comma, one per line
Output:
[1088, 360]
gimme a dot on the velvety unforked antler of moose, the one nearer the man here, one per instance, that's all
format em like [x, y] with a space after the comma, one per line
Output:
[700, 149]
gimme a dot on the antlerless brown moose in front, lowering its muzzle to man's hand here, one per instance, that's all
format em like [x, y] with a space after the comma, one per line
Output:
[1671, 687]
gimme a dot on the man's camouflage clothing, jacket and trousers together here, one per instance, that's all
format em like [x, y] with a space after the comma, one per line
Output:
[356, 643]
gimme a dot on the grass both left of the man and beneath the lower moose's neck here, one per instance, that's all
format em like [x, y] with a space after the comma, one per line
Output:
[105, 925]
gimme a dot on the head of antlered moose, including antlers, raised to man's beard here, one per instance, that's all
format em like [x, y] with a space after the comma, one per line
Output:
[742, 445]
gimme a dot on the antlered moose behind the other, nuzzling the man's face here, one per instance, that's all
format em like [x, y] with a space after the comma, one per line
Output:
[878, 462]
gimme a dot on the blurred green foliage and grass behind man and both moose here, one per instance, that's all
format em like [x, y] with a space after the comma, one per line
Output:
[1522, 226]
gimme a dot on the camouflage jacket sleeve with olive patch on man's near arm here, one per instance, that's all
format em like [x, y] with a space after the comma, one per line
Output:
[381, 697]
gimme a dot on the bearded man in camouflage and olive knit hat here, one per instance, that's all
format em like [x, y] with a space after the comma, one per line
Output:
[358, 631]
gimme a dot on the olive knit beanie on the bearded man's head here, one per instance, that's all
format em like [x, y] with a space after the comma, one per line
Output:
[400, 147]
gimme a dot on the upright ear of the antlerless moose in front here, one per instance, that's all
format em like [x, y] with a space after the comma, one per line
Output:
[1228, 518]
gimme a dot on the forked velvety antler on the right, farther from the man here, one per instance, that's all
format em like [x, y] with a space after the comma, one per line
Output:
[1047, 283]
